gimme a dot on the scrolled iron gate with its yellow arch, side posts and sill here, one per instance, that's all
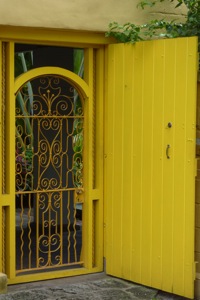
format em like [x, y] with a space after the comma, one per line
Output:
[51, 173]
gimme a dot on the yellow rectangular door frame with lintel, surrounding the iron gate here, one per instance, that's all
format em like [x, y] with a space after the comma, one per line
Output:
[93, 44]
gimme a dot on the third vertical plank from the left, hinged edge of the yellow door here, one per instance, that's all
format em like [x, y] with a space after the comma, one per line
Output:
[127, 160]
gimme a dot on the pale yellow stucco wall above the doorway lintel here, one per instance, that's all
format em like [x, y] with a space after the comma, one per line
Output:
[92, 15]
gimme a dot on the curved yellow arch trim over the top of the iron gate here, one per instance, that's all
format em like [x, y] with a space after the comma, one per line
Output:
[75, 80]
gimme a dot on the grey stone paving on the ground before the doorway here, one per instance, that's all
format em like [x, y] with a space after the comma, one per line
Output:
[91, 287]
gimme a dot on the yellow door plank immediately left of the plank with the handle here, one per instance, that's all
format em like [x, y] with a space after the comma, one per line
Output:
[157, 162]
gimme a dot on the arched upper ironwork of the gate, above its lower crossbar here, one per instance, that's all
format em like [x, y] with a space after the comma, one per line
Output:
[49, 135]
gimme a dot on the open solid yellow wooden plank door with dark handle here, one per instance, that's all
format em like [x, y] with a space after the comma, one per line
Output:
[150, 126]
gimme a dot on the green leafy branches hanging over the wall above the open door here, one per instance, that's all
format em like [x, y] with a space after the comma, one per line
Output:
[159, 28]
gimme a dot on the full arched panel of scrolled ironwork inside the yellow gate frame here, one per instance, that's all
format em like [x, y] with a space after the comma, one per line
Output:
[49, 167]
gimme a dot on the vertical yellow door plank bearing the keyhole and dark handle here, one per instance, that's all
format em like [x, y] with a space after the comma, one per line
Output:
[168, 175]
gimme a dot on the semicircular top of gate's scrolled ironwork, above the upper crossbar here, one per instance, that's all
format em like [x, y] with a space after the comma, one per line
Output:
[54, 97]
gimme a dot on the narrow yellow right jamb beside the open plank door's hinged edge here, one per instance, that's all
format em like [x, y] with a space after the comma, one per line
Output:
[98, 159]
